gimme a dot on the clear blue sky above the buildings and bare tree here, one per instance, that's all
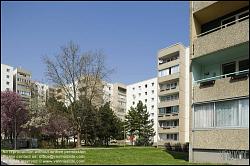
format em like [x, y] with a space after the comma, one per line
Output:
[129, 33]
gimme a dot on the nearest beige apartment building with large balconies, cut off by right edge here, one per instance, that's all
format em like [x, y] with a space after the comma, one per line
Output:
[219, 82]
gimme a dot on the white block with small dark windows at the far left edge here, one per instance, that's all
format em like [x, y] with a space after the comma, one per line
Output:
[6, 78]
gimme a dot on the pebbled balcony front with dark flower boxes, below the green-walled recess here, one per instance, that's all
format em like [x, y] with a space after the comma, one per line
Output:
[220, 87]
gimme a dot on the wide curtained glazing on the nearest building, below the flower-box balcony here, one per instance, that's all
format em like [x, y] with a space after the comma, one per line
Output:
[232, 113]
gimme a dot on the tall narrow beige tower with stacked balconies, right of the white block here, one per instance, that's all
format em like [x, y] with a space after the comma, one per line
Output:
[173, 95]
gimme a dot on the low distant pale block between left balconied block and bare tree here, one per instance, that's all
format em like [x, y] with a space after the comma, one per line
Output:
[38, 91]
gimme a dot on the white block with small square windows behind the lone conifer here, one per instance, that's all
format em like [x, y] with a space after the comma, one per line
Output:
[145, 91]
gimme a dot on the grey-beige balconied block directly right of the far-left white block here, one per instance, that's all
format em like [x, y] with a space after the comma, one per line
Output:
[22, 84]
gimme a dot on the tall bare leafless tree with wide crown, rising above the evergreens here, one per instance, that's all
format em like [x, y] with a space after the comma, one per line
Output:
[77, 74]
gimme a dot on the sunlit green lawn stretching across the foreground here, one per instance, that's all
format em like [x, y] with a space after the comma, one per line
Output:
[127, 155]
